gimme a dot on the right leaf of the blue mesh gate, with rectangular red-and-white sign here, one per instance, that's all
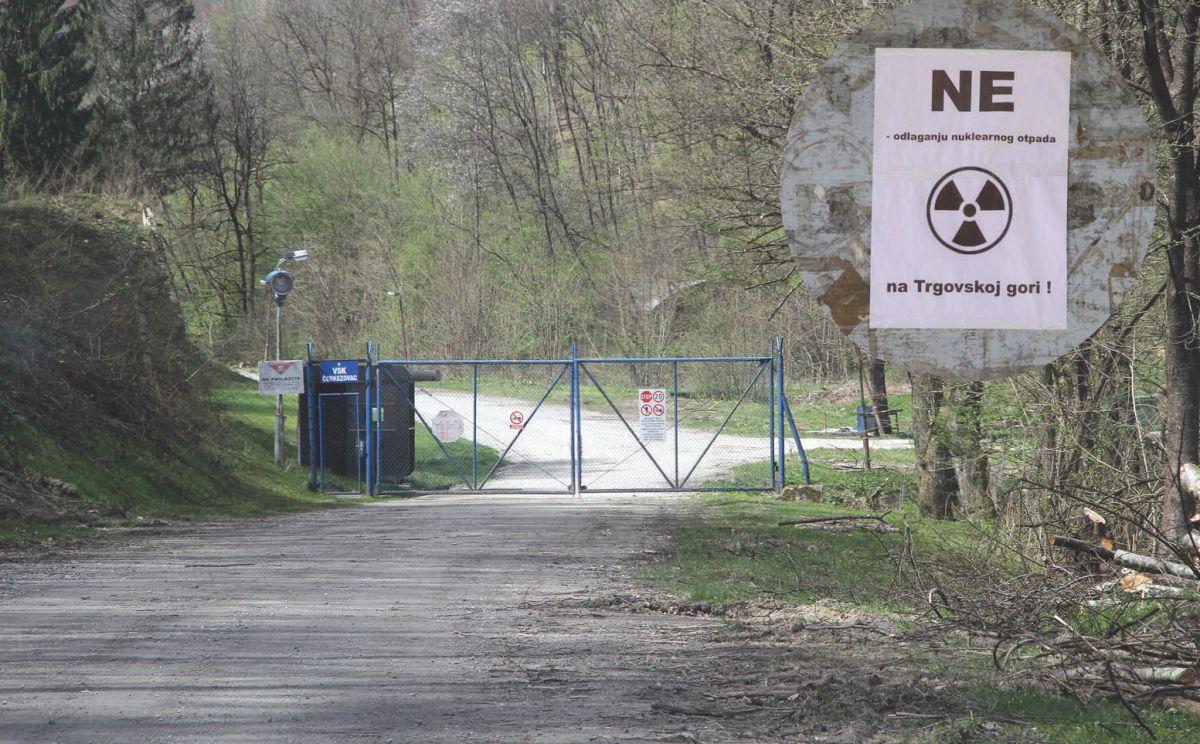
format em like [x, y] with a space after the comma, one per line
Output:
[649, 425]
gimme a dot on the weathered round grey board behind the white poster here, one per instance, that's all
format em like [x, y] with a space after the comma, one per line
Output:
[827, 188]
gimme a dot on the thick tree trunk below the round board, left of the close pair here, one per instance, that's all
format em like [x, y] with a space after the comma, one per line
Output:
[938, 488]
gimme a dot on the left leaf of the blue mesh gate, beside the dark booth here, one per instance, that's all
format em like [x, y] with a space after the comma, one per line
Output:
[476, 425]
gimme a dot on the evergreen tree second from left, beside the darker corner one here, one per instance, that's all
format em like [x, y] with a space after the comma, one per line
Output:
[153, 95]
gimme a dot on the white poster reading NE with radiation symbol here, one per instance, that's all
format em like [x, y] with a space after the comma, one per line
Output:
[969, 203]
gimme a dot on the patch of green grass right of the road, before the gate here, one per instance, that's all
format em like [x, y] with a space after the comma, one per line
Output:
[740, 554]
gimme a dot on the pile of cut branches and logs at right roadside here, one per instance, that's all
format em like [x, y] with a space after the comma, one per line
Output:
[1079, 613]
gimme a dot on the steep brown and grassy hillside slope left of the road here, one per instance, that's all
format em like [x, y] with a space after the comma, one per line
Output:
[101, 412]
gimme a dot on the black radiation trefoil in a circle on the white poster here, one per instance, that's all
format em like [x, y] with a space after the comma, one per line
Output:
[970, 211]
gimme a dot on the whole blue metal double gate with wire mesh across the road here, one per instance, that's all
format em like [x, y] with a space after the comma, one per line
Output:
[574, 425]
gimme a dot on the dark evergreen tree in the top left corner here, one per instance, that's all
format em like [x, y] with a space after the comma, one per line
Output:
[44, 83]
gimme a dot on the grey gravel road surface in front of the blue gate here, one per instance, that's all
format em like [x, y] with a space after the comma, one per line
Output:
[435, 620]
